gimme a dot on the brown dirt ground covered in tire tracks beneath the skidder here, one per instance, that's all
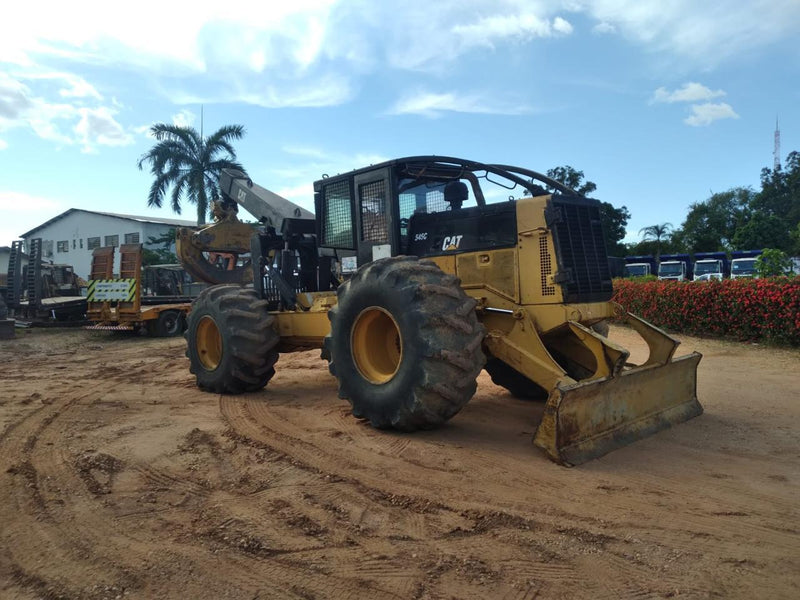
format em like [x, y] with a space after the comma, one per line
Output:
[119, 479]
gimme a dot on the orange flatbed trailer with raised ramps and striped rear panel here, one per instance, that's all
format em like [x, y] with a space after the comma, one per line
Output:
[116, 304]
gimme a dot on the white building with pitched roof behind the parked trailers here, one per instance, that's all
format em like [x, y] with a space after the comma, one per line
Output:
[70, 237]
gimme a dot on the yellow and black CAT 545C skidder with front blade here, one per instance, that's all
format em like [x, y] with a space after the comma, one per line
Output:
[419, 272]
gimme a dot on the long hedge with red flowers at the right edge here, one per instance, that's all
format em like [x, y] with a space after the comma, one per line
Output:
[745, 309]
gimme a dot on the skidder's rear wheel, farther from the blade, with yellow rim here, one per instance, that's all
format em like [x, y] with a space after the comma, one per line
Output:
[231, 342]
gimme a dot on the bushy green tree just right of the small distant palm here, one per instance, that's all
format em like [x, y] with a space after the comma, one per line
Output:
[711, 225]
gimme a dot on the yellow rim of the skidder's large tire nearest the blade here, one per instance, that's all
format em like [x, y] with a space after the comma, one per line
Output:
[376, 345]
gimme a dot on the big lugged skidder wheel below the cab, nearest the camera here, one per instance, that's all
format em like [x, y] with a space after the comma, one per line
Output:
[405, 344]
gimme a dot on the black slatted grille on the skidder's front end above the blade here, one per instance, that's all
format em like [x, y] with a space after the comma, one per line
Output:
[583, 270]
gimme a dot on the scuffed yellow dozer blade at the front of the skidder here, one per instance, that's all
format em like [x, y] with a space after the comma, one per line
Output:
[588, 419]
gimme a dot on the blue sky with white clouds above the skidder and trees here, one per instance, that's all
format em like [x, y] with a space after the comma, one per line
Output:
[659, 103]
